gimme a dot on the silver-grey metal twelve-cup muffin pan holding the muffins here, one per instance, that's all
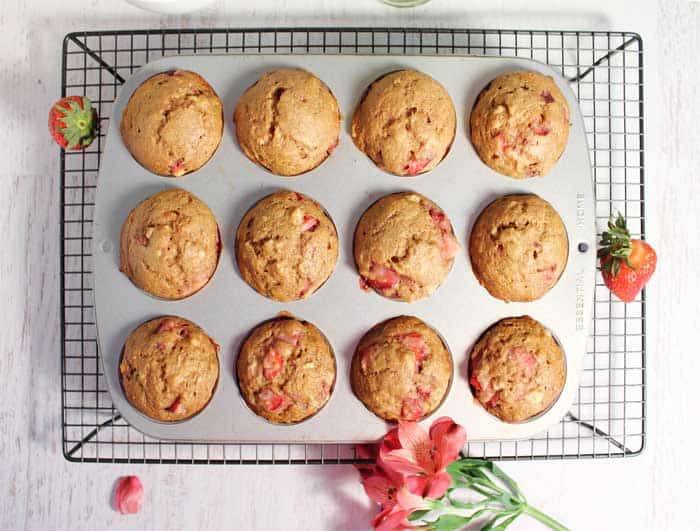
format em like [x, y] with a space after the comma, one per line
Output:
[345, 185]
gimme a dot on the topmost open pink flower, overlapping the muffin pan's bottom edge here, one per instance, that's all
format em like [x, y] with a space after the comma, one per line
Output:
[421, 458]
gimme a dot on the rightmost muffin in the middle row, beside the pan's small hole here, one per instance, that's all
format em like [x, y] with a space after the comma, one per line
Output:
[518, 248]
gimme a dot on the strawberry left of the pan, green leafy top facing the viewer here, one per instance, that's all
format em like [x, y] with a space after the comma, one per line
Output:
[73, 122]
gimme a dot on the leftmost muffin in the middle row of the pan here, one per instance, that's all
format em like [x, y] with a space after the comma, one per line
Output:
[170, 244]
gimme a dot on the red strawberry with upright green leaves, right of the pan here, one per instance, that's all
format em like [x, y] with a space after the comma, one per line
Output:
[626, 264]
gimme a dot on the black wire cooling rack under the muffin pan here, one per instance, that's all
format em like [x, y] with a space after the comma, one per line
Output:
[608, 417]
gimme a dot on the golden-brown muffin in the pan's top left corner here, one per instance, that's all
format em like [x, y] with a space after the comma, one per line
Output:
[173, 123]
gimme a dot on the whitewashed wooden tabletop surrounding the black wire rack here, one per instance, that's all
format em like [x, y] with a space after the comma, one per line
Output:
[40, 490]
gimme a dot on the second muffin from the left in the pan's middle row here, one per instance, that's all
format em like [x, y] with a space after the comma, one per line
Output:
[286, 246]
